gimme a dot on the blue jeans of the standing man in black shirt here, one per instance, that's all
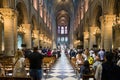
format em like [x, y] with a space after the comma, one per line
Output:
[36, 74]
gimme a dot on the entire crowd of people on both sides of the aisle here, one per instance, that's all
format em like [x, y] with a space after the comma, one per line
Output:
[105, 64]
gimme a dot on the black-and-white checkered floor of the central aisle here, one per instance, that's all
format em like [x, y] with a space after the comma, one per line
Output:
[62, 70]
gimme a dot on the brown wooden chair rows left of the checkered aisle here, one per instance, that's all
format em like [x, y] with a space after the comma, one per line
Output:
[8, 65]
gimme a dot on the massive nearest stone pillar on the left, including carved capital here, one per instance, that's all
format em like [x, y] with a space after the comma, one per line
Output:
[8, 15]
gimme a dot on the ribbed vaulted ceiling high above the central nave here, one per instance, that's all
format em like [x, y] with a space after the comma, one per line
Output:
[63, 11]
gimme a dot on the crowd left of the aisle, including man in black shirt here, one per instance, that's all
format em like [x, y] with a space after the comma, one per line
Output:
[35, 57]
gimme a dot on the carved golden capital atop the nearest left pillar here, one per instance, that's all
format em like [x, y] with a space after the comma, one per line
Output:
[7, 13]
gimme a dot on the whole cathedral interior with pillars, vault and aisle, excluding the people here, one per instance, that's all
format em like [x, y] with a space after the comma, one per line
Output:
[57, 24]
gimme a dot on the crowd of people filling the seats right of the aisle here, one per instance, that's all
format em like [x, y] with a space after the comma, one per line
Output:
[105, 64]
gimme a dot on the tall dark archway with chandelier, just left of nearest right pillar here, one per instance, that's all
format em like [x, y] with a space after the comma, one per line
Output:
[96, 25]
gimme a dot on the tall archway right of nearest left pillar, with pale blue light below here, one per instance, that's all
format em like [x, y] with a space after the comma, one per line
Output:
[22, 20]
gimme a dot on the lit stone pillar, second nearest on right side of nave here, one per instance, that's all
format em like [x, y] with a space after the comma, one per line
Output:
[92, 37]
